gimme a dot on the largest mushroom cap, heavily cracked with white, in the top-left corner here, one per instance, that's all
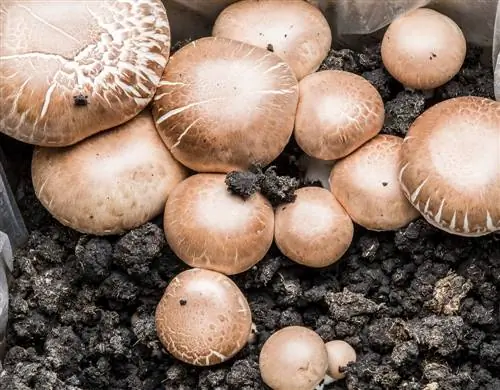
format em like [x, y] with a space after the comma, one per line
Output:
[111, 53]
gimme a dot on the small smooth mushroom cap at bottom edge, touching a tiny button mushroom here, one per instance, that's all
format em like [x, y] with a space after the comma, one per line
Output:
[293, 358]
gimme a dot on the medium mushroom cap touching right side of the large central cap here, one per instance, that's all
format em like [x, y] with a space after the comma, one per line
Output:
[338, 111]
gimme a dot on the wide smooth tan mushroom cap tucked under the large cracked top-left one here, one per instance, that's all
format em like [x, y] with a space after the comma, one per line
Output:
[110, 182]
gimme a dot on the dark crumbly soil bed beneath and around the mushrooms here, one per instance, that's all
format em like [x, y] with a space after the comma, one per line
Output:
[421, 307]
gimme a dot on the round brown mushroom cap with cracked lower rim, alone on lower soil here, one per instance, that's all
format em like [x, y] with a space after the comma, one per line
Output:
[203, 318]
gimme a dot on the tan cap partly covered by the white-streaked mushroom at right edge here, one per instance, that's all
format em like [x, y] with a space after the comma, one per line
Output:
[366, 185]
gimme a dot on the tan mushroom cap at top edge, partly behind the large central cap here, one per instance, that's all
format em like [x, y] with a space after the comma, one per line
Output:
[296, 31]
